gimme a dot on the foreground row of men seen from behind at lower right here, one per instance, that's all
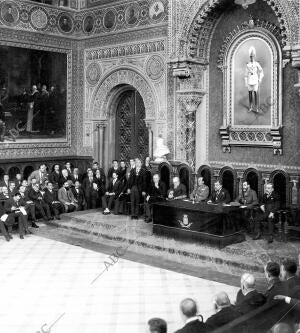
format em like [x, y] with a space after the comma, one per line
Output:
[283, 291]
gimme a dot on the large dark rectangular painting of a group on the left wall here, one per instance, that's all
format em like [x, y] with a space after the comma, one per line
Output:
[33, 95]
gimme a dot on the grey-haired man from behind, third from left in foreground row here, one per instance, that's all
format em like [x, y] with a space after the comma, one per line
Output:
[225, 312]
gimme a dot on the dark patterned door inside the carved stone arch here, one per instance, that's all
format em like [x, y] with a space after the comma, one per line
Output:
[131, 133]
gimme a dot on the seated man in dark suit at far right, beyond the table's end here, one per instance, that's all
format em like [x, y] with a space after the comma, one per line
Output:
[270, 204]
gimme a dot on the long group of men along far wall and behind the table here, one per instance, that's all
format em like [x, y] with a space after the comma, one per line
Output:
[69, 190]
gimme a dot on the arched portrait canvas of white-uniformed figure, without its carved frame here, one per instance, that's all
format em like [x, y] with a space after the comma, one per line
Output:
[252, 83]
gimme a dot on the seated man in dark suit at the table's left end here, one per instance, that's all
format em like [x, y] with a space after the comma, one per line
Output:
[156, 192]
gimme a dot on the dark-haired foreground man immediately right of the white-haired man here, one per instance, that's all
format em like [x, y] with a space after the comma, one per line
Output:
[276, 287]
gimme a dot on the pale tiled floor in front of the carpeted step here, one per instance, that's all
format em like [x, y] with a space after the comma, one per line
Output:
[43, 279]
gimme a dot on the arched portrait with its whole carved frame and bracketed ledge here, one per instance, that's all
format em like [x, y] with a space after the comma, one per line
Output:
[251, 61]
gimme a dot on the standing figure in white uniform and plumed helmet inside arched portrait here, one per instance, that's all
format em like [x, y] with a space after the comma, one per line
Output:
[253, 78]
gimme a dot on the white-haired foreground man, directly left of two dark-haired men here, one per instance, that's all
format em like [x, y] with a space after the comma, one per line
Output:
[248, 298]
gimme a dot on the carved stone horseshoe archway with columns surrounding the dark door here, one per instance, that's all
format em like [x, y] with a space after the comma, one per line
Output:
[104, 103]
